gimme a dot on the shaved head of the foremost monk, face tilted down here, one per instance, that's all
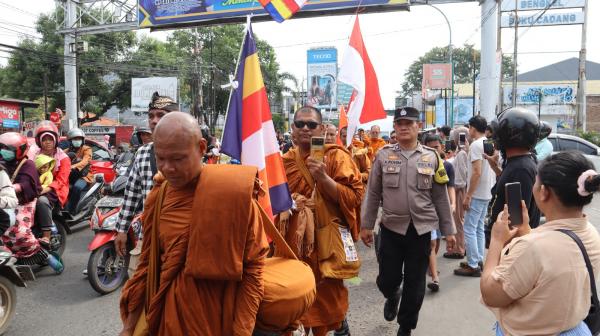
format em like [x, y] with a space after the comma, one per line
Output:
[179, 147]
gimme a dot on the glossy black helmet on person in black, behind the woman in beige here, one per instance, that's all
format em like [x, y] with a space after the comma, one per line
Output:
[517, 128]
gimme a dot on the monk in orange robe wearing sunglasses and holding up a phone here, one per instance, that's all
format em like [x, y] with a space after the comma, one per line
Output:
[339, 184]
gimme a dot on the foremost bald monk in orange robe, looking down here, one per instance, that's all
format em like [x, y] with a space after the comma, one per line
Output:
[211, 256]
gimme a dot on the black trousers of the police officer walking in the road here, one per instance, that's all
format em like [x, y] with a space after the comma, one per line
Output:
[409, 253]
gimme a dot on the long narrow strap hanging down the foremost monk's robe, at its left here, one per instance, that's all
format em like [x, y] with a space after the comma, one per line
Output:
[153, 276]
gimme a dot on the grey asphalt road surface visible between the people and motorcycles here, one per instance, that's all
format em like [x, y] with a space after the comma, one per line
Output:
[67, 305]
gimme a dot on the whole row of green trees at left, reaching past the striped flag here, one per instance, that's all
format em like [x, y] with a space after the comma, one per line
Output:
[202, 59]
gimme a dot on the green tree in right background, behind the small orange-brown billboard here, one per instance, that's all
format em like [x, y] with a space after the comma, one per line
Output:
[466, 59]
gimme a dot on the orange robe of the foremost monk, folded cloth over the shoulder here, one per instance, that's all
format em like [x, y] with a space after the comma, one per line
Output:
[193, 305]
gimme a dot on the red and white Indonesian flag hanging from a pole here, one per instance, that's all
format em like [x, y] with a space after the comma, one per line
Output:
[357, 71]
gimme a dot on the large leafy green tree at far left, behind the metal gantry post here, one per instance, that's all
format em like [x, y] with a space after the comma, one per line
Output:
[24, 74]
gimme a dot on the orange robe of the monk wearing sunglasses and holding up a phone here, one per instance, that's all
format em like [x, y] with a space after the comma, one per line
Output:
[330, 308]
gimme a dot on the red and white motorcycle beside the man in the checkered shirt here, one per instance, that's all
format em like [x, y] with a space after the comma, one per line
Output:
[106, 270]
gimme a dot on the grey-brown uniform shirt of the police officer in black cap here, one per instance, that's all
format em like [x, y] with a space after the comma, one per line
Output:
[405, 182]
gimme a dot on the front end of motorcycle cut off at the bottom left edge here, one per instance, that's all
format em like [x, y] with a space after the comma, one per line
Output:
[11, 275]
